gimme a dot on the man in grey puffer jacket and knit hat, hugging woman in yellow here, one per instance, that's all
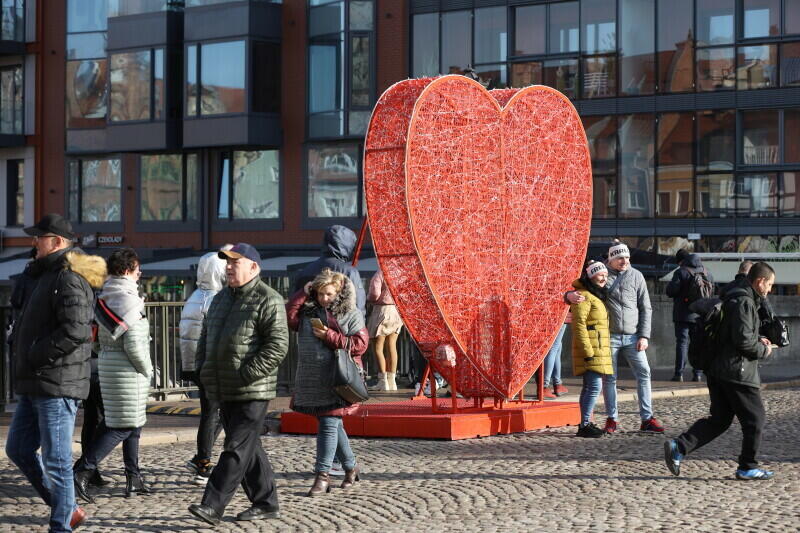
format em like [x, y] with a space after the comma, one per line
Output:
[629, 315]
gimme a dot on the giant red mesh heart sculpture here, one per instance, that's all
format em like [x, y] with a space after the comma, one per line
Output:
[480, 216]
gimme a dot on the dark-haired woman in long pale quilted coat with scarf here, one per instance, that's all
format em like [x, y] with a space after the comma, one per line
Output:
[125, 370]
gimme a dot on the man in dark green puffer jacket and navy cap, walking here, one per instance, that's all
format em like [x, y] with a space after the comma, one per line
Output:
[244, 339]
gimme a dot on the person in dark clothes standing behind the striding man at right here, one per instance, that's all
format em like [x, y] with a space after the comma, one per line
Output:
[678, 290]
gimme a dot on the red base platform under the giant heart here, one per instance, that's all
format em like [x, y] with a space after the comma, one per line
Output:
[416, 419]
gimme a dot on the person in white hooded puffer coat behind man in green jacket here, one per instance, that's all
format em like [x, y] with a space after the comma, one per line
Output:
[210, 280]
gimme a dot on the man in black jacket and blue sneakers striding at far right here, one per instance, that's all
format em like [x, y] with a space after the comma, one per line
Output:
[733, 380]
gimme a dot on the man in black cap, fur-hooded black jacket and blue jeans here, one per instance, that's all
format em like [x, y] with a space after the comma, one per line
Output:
[51, 353]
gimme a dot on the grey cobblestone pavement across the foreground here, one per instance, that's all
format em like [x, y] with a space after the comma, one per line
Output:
[530, 482]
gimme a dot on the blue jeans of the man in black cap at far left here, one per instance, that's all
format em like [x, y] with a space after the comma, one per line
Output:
[47, 422]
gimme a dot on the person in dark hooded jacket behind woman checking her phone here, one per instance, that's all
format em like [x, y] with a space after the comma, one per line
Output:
[338, 246]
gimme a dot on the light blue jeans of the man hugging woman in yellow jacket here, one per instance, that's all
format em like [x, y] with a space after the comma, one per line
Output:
[626, 344]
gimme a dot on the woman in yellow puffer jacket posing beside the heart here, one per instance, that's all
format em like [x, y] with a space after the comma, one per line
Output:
[591, 348]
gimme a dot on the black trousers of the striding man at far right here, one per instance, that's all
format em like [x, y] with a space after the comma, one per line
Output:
[729, 400]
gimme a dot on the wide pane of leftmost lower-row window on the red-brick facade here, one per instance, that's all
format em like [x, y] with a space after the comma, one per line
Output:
[102, 191]
